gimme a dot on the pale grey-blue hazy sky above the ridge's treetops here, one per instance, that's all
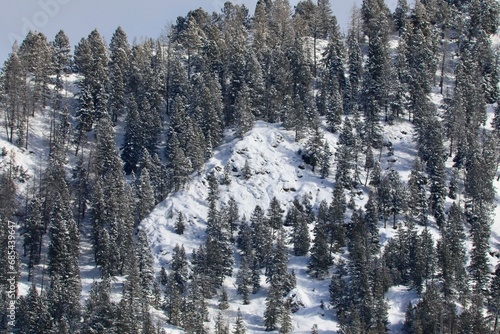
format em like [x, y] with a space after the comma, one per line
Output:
[78, 18]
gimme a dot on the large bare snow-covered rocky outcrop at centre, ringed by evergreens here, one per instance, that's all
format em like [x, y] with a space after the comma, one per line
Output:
[277, 171]
